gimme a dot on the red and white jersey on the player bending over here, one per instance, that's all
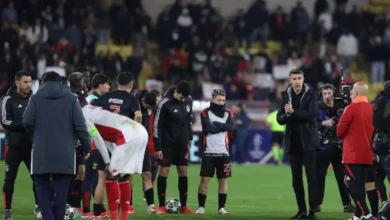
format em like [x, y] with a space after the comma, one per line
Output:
[108, 129]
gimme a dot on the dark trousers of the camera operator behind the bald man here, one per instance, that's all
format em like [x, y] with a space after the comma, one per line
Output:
[324, 158]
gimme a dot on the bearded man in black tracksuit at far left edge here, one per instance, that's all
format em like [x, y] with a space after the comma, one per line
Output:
[18, 143]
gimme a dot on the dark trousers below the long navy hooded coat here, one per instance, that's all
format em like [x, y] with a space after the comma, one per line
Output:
[60, 183]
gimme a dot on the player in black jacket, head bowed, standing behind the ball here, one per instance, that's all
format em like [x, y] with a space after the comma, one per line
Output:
[172, 131]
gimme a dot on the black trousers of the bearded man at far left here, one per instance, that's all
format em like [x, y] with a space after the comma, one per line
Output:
[13, 159]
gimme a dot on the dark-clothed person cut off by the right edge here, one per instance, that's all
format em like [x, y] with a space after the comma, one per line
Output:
[381, 120]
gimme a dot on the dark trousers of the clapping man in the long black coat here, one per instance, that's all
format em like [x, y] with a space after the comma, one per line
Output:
[308, 160]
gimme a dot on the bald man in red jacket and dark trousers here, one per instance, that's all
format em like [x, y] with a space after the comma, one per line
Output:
[356, 129]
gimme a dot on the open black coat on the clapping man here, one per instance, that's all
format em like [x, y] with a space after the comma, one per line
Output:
[306, 114]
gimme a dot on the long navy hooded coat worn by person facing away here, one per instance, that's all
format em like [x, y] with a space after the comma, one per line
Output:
[55, 116]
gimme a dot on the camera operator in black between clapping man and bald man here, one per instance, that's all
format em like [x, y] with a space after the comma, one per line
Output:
[330, 151]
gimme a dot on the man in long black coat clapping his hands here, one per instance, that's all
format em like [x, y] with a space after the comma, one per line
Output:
[298, 111]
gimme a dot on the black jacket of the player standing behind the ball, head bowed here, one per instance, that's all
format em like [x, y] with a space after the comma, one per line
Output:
[173, 122]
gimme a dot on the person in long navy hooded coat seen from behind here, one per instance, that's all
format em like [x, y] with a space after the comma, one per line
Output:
[55, 118]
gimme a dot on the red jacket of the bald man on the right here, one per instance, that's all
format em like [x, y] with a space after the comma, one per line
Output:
[356, 128]
